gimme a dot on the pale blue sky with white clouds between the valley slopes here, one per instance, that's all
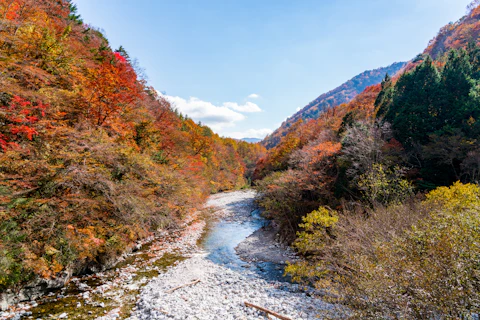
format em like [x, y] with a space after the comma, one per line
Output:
[244, 66]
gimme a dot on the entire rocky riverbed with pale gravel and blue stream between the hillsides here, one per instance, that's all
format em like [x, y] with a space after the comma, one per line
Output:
[141, 286]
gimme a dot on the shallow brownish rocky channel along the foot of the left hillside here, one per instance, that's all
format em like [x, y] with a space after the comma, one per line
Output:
[112, 294]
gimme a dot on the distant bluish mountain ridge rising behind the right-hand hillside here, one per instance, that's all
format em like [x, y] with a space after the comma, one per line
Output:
[342, 94]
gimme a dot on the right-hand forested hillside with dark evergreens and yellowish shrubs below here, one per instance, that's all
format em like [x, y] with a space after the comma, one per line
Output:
[380, 194]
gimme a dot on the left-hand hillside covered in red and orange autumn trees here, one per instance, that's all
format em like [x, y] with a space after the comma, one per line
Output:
[91, 158]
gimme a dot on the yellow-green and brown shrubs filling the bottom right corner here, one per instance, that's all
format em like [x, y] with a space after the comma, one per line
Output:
[419, 259]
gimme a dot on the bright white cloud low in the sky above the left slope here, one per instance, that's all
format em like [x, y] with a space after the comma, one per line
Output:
[216, 117]
